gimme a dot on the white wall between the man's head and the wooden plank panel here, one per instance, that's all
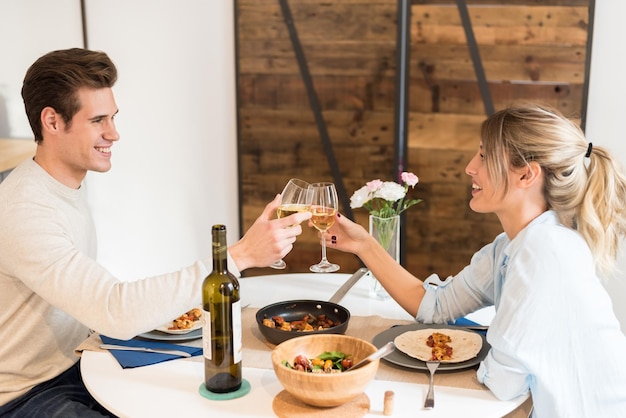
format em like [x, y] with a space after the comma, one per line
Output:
[174, 169]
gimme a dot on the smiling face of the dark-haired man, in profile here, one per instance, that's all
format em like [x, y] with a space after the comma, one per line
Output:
[86, 143]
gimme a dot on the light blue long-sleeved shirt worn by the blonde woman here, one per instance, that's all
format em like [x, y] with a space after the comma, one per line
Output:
[554, 331]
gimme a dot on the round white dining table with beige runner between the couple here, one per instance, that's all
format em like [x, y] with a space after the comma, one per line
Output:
[171, 388]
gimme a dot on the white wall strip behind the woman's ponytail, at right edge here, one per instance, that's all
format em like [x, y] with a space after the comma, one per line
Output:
[605, 114]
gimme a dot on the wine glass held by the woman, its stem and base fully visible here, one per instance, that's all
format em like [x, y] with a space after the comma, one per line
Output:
[323, 208]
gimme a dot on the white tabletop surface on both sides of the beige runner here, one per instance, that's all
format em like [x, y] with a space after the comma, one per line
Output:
[171, 388]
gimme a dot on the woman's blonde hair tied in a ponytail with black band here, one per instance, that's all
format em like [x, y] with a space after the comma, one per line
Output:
[583, 183]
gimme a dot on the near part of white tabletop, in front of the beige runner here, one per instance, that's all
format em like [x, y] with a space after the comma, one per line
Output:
[170, 389]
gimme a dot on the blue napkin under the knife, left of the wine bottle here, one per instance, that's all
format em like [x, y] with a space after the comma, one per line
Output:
[129, 359]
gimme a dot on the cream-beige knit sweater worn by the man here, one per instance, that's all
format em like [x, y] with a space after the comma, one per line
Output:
[52, 289]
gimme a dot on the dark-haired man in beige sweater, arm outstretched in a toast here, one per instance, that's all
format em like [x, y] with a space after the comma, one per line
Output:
[52, 289]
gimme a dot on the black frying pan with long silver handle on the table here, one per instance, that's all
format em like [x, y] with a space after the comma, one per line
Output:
[294, 310]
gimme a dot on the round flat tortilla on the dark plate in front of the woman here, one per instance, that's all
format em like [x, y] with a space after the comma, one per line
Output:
[465, 344]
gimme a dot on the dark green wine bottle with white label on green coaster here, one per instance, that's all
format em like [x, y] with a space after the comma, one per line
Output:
[221, 332]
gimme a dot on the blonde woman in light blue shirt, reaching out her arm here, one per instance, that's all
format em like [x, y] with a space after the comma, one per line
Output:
[561, 203]
